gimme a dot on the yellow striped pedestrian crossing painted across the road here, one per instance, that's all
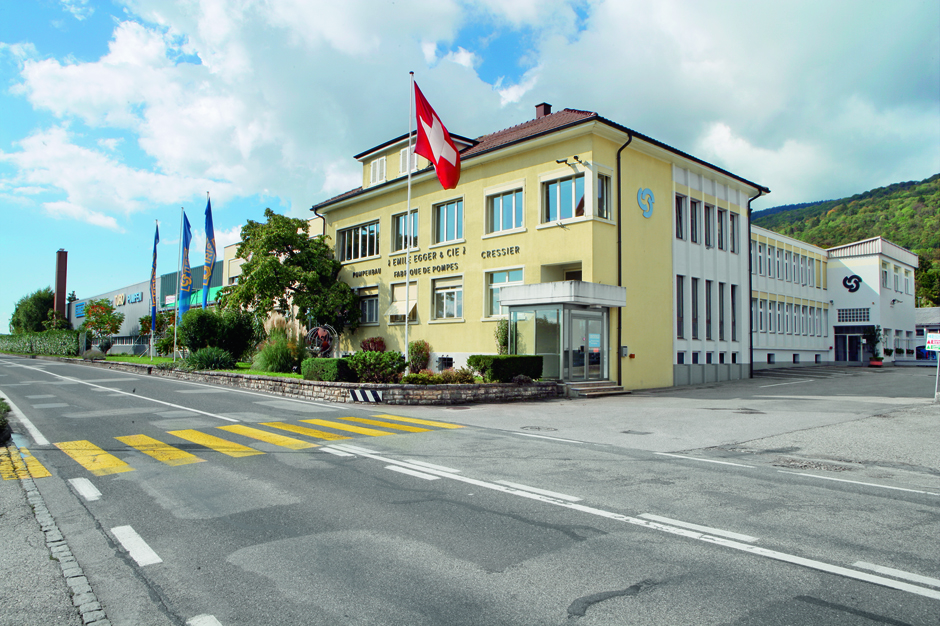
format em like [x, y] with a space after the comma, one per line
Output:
[102, 463]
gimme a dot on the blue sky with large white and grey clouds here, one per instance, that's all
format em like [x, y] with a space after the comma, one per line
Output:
[115, 114]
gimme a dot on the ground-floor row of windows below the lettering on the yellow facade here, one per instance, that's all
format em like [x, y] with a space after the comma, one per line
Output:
[446, 298]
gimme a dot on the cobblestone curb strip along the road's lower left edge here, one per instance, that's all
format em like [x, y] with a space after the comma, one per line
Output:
[82, 595]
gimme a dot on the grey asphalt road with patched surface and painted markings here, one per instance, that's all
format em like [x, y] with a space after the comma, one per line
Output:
[521, 514]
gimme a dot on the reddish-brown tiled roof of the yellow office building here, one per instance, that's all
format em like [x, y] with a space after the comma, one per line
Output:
[550, 123]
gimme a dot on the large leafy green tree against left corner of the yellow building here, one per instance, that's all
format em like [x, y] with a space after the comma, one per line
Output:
[285, 267]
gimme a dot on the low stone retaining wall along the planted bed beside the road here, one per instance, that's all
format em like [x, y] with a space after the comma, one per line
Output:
[339, 392]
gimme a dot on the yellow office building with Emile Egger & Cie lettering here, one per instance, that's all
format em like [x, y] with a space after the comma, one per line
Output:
[591, 239]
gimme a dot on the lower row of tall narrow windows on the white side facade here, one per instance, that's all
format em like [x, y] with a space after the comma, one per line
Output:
[711, 306]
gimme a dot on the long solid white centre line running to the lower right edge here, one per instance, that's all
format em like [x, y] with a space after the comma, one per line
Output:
[690, 534]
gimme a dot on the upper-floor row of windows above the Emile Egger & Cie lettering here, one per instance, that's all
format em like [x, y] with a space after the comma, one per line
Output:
[561, 199]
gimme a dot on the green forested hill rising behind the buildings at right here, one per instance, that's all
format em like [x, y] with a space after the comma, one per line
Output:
[907, 214]
